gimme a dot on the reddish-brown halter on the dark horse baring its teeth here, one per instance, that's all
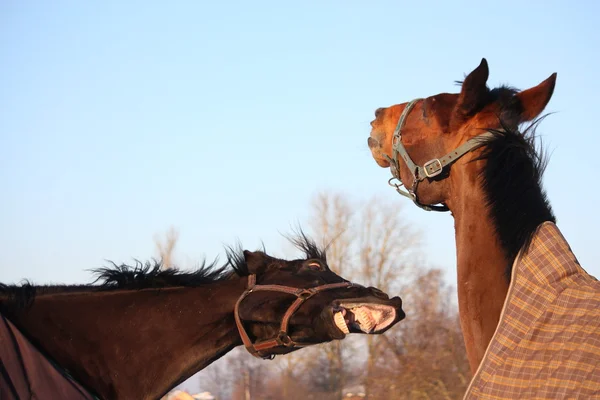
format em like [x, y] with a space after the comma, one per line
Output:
[282, 339]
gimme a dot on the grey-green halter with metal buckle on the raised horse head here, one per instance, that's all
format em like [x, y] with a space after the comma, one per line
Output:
[431, 168]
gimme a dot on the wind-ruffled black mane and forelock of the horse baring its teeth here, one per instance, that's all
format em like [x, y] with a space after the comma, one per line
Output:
[150, 275]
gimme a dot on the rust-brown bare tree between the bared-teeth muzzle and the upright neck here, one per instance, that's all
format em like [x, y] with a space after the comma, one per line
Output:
[425, 354]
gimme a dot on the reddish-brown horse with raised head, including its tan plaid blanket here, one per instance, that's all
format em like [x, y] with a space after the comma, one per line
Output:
[464, 153]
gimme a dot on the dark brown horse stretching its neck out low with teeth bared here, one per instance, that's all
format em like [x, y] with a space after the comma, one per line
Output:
[142, 329]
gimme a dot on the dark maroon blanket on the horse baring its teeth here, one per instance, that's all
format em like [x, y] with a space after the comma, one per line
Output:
[26, 374]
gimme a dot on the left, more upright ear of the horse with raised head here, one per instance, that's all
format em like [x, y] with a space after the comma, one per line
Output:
[474, 90]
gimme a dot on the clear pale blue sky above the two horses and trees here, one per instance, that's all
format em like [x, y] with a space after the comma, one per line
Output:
[120, 119]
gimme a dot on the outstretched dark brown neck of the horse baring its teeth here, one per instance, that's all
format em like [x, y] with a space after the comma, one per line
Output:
[135, 344]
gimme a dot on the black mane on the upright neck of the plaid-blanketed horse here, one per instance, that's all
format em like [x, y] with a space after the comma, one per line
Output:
[512, 182]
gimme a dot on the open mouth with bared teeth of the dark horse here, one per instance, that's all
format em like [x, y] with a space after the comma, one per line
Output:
[364, 317]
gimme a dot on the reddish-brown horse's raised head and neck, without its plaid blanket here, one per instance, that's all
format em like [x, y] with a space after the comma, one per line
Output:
[462, 152]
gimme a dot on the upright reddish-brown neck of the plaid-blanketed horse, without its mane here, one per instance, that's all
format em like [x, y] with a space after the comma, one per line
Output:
[481, 265]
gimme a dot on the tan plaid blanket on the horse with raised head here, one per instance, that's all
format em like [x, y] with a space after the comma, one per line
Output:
[547, 343]
